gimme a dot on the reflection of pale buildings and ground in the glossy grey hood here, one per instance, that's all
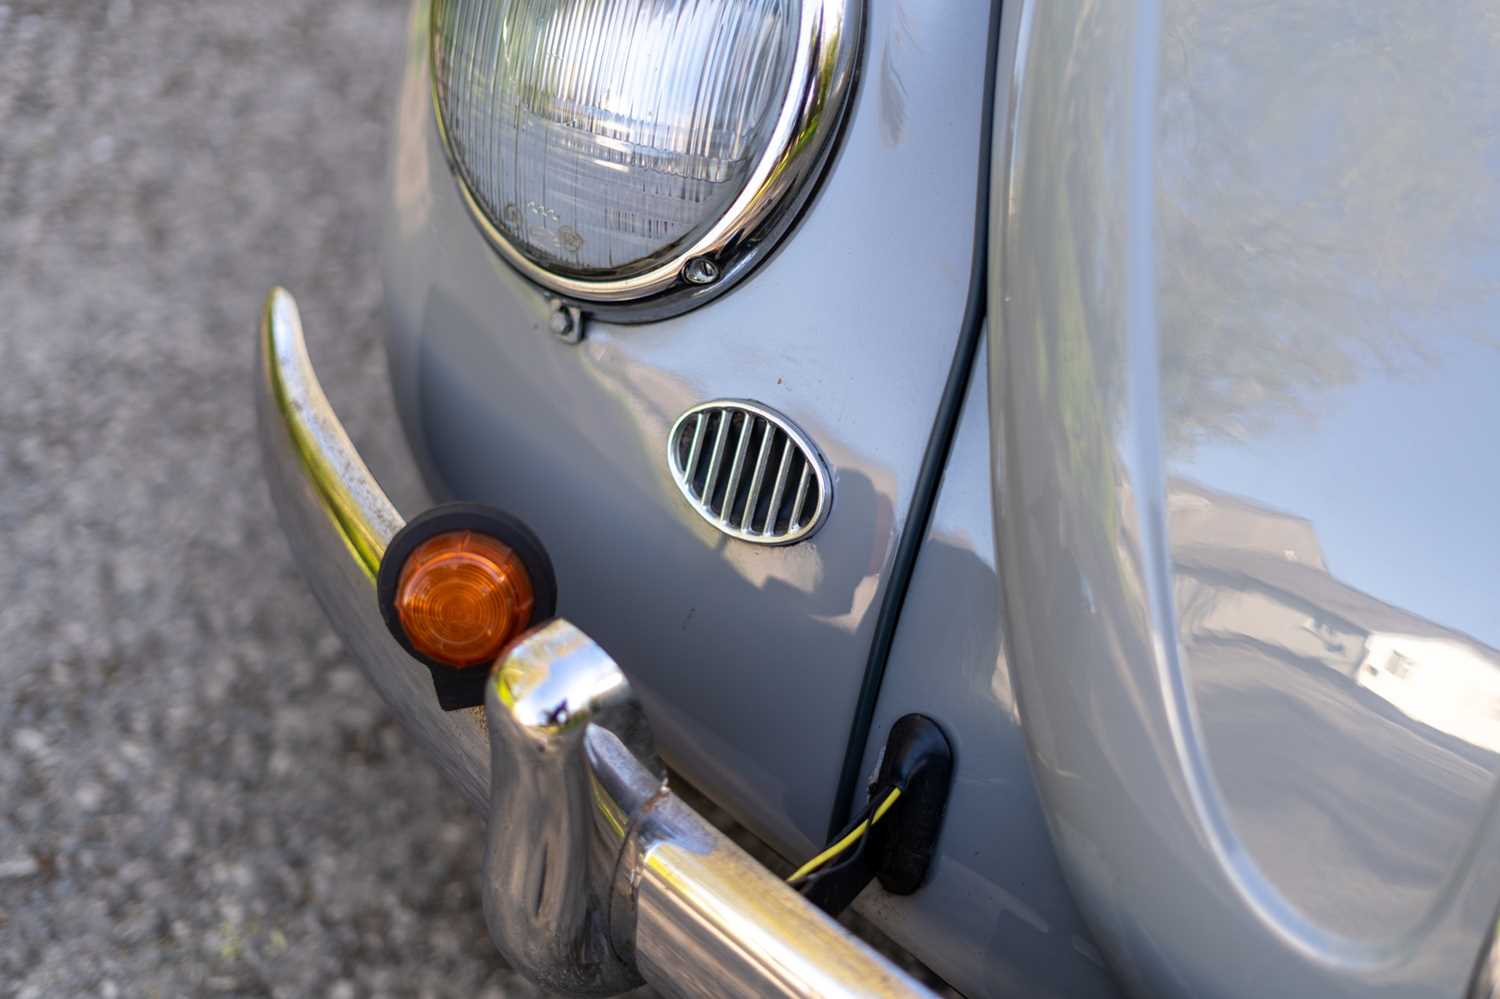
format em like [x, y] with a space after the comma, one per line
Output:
[1363, 731]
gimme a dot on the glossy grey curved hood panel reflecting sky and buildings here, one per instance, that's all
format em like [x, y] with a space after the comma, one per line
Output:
[1244, 289]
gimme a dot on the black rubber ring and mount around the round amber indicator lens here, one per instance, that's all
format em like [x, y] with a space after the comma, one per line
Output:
[463, 688]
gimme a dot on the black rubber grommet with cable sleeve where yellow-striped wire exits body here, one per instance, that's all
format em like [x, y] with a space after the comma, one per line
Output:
[899, 848]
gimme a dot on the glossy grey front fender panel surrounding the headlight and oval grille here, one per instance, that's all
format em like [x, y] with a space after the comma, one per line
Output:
[748, 658]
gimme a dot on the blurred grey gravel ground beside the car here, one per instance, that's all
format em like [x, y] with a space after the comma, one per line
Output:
[199, 793]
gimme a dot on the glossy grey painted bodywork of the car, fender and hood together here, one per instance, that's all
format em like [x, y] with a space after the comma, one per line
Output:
[1232, 727]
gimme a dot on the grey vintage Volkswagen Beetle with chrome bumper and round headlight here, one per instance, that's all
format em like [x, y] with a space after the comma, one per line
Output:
[1031, 464]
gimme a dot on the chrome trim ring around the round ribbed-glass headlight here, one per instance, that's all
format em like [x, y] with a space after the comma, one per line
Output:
[824, 70]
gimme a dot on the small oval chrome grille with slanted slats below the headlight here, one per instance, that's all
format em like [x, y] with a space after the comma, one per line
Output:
[749, 472]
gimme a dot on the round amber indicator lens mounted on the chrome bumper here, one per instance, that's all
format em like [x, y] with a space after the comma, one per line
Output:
[463, 598]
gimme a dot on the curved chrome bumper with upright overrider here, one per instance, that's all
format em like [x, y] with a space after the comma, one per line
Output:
[596, 877]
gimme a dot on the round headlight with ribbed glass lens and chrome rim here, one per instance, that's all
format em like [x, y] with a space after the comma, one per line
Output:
[623, 149]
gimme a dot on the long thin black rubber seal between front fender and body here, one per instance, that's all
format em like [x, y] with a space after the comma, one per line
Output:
[935, 460]
